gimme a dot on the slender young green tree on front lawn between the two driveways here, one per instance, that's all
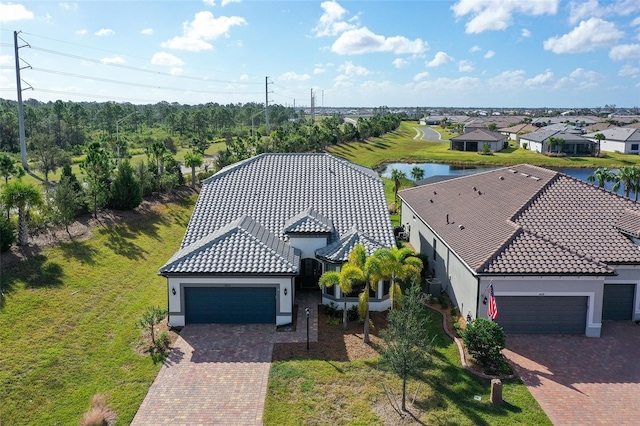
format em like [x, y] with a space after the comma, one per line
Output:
[407, 344]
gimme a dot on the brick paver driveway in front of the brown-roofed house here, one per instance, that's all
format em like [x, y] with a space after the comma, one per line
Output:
[579, 380]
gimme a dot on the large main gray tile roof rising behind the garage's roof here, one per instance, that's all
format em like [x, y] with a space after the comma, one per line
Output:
[276, 190]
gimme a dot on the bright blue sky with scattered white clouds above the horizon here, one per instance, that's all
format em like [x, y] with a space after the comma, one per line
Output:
[467, 53]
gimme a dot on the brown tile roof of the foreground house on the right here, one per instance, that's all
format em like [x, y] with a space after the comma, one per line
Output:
[567, 226]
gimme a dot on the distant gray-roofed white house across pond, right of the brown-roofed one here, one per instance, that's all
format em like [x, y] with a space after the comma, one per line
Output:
[574, 144]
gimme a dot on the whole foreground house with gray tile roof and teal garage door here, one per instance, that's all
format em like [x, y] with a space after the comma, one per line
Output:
[268, 226]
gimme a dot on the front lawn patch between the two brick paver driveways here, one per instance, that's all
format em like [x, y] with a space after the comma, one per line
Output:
[340, 393]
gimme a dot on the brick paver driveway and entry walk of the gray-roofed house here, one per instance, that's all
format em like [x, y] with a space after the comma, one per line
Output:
[218, 374]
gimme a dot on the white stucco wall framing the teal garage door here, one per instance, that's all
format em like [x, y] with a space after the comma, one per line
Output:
[284, 304]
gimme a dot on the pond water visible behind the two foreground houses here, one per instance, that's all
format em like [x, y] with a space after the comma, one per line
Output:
[434, 169]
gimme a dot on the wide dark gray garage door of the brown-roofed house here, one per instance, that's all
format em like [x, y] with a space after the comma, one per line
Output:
[542, 314]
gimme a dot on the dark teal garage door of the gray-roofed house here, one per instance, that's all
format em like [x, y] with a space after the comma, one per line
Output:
[230, 305]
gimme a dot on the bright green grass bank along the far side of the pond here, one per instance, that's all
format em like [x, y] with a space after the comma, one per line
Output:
[400, 146]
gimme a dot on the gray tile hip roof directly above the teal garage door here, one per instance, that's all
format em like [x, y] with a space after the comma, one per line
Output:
[242, 246]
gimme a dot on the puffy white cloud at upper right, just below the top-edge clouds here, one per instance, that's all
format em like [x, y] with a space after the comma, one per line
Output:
[587, 36]
